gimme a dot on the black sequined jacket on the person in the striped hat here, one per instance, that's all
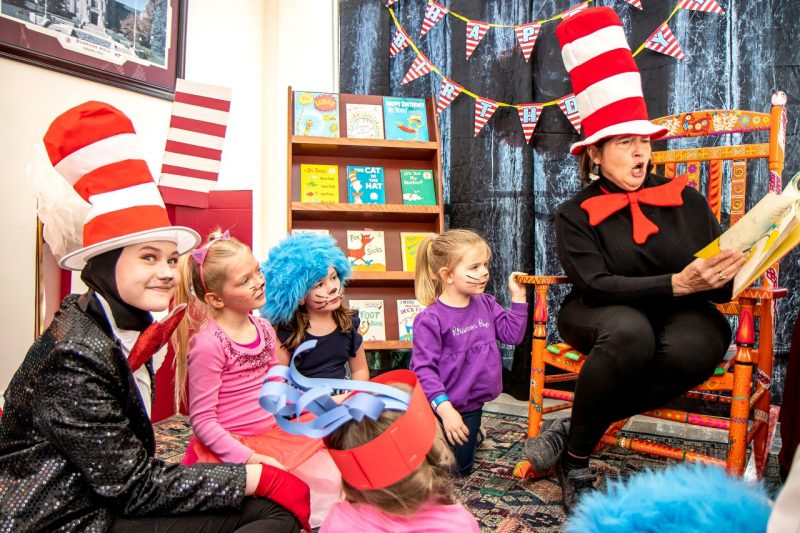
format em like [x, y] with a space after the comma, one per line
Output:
[76, 445]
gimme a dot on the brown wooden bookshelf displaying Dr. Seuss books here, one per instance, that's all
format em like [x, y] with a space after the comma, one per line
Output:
[392, 217]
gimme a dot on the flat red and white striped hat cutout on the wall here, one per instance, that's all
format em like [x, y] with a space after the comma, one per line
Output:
[192, 155]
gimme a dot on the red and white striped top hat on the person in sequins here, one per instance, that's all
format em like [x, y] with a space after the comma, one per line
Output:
[94, 147]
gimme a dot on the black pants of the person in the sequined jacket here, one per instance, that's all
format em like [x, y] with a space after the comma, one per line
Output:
[256, 515]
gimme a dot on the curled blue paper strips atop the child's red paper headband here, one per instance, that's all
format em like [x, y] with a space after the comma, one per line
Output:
[296, 394]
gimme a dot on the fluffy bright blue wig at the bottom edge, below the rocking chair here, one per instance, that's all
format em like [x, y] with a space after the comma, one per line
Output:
[685, 497]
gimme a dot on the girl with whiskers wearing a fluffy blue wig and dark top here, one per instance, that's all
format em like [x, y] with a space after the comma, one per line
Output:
[305, 276]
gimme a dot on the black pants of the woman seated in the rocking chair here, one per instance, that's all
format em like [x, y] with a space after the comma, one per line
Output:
[637, 360]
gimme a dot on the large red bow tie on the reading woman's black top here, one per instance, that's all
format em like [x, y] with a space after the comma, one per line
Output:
[669, 194]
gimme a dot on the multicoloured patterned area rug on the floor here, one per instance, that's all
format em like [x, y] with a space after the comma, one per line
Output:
[501, 502]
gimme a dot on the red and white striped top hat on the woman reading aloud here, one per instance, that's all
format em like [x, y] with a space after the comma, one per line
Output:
[605, 78]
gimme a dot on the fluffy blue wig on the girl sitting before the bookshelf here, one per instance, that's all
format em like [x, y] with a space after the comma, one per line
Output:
[292, 268]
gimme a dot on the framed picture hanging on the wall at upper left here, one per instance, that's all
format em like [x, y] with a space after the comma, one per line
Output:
[132, 44]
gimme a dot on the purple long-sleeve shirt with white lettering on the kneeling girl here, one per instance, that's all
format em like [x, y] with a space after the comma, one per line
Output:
[455, 349]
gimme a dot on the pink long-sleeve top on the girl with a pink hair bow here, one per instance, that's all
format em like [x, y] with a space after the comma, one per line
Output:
[224, 381]
